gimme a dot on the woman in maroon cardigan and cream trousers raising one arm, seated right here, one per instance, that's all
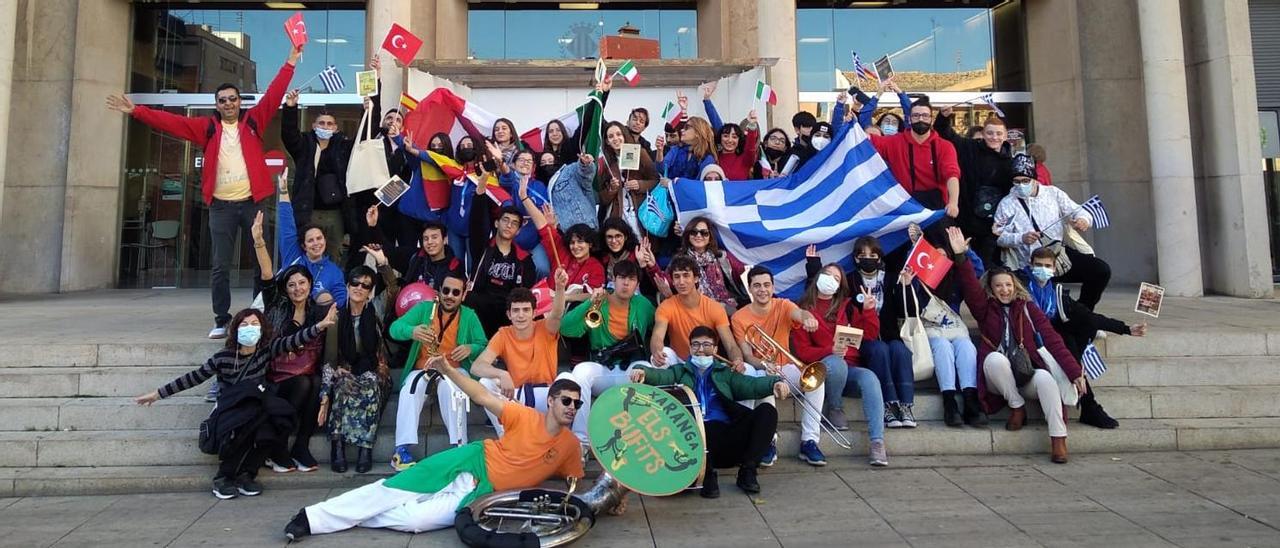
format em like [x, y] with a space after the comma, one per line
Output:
[1009, 323]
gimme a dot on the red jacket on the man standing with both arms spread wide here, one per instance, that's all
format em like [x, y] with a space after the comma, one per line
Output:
[196, 130]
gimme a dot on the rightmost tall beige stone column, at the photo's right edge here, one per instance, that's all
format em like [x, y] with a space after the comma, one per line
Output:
[1231, 153]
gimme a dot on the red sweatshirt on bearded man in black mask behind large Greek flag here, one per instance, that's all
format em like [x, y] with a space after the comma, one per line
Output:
[898, 152]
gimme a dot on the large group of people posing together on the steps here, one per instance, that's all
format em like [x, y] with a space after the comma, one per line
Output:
[632, 304]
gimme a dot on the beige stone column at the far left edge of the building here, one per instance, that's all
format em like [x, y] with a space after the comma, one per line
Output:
[31, 236]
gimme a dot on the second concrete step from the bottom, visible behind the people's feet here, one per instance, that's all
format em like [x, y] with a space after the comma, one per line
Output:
[179, 447]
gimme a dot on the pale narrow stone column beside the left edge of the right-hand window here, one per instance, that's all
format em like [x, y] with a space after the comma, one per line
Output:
[776, 35]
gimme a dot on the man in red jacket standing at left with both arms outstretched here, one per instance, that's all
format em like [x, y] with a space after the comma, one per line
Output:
[235, 179]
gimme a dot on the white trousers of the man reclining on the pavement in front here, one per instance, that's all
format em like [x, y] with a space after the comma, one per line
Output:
[380, 506]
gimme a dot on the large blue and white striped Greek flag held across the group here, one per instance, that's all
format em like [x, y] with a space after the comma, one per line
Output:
[843, 193]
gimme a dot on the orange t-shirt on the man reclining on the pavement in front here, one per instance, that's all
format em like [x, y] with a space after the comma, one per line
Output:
[527, 455]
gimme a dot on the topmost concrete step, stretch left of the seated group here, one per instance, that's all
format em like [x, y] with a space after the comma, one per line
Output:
[108, 355]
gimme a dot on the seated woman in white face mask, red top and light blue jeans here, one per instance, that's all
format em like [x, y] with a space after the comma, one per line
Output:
[828, 299]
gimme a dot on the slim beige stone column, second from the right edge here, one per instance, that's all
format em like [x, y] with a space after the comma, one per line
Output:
[1169, 140]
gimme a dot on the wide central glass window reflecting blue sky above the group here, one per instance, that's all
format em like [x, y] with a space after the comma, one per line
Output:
[500, 31]
